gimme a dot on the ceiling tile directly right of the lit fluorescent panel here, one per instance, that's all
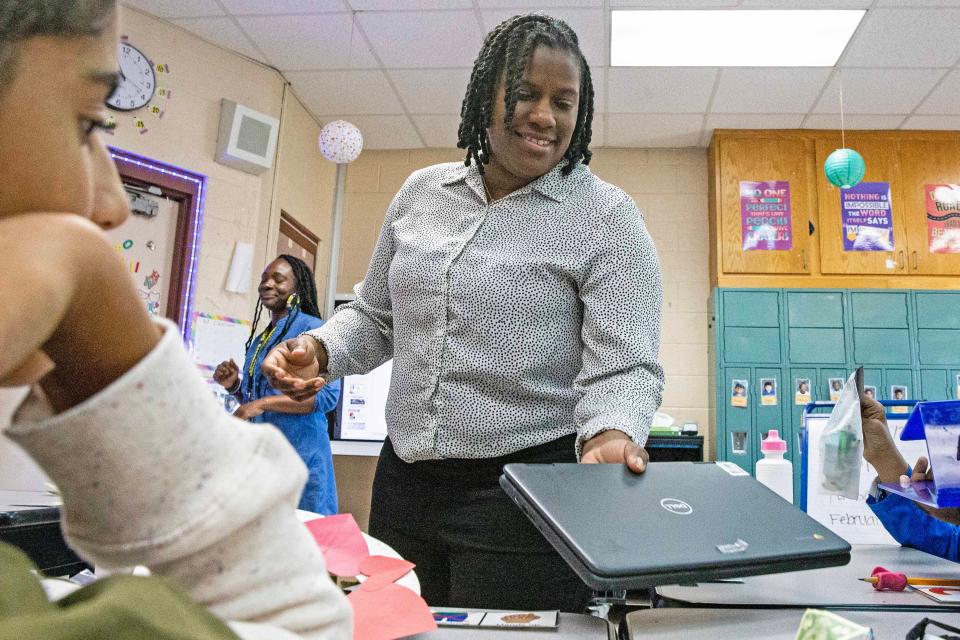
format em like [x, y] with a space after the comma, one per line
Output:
[905, 38]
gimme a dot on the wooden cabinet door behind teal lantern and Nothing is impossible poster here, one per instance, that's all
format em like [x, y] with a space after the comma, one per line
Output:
[880, 155]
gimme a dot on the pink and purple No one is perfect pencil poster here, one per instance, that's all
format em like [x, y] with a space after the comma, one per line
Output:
[765, 216]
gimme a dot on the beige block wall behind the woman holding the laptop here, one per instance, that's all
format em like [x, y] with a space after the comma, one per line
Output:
[670, 187]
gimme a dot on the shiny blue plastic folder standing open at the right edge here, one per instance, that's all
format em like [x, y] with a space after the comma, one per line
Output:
[939, 424]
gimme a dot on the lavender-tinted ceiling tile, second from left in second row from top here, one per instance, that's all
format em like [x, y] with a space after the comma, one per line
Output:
[322, 41]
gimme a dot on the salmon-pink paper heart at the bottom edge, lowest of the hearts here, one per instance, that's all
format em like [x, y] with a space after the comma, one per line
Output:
[388, 613]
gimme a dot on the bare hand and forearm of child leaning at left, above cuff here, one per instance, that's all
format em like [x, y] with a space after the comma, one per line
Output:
[66, 293]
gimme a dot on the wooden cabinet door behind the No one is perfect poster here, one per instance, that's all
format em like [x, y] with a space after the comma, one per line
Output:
[766, 159]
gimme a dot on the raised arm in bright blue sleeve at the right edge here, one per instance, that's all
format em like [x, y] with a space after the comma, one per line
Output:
[935, 531]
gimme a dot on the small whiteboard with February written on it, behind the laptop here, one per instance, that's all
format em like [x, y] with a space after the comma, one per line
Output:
[852, 520]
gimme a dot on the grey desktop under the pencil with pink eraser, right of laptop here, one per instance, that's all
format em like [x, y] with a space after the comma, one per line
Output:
[834, 587]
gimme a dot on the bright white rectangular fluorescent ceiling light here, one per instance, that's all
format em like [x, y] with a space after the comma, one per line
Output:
[730, 38]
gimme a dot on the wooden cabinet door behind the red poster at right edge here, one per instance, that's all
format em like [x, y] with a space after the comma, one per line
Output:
[928, 162]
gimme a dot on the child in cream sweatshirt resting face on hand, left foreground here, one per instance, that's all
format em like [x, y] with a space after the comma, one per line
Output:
[152, 470]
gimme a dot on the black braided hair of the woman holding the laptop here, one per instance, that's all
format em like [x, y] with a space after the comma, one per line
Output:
[506, 52]
